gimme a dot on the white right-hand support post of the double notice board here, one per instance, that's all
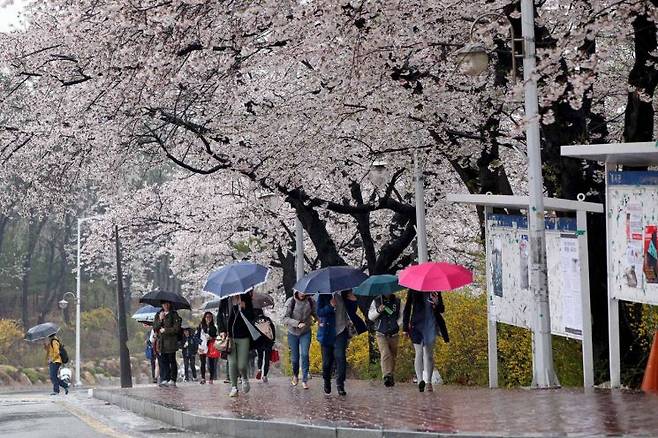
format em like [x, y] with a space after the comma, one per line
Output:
[588, 349]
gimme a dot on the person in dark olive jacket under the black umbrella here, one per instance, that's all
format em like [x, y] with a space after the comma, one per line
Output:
[167, 326]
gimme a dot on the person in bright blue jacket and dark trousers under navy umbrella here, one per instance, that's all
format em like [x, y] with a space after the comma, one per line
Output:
[337, 313]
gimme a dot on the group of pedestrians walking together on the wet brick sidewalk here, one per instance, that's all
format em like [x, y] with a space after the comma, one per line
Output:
[240, 329]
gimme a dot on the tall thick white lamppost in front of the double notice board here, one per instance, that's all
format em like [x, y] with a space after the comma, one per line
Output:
[544, 374]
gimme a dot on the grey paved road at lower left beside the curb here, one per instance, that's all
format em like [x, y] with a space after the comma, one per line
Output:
[30, 415]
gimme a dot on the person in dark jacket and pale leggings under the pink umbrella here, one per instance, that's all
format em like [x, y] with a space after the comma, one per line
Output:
[422, 321]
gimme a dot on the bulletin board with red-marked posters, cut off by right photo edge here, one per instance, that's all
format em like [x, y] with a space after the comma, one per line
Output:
[632, 210]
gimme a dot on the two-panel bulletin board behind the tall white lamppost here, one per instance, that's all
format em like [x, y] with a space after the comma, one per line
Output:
[510, 299]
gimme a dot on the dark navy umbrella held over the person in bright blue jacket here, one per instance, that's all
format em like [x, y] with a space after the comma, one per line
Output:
[330, 280]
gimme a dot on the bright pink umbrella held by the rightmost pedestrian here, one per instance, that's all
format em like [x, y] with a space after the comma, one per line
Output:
[435, 276]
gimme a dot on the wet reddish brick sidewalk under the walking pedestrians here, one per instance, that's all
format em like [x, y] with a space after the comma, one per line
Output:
[448, 410]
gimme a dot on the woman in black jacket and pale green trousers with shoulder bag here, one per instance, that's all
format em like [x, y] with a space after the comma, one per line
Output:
[239, 328]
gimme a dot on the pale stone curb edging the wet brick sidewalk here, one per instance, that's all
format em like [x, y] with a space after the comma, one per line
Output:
[243, 428]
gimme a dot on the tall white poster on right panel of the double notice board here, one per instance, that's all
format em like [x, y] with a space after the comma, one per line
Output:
[572, 317]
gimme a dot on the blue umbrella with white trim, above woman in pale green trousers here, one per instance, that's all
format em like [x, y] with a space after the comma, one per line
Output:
[235, 279]
